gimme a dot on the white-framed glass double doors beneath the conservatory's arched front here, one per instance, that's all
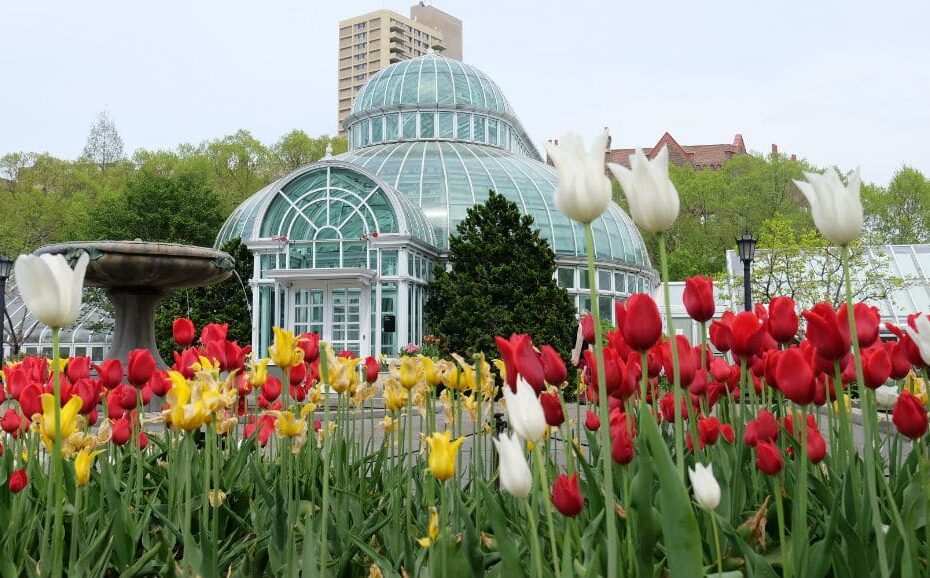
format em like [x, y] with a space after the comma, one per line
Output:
[338, 312]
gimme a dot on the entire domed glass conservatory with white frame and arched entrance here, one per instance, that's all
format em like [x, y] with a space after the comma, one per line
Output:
[345, 246]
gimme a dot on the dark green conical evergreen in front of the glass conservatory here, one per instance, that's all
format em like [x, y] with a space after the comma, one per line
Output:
[500, 281]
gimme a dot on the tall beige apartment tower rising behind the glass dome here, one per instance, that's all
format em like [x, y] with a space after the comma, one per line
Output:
[372, 41]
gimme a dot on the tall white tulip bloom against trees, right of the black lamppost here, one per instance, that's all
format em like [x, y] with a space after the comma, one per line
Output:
[836, 208]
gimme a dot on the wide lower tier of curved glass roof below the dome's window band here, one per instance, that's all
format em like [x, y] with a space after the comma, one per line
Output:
[447, 178]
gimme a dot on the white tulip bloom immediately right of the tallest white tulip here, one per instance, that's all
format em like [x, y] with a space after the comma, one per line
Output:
[650, 194]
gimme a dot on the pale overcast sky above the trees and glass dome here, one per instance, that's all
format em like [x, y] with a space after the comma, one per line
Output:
[839, 83]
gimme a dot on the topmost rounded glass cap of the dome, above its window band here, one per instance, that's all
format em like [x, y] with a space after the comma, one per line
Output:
[431, 80]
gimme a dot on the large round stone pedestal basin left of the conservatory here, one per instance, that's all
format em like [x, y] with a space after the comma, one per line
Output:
[137, 275]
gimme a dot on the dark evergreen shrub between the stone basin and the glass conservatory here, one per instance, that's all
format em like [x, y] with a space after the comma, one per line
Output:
[225, 302]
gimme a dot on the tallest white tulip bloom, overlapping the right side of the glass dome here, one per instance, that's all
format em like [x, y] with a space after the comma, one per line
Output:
[584, 190]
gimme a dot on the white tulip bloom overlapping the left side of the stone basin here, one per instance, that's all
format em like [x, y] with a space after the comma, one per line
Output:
[50, 289]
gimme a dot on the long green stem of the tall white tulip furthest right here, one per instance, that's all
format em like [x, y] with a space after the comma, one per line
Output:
[867, 396]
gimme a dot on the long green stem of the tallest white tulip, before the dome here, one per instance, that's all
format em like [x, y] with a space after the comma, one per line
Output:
[606, 463]
